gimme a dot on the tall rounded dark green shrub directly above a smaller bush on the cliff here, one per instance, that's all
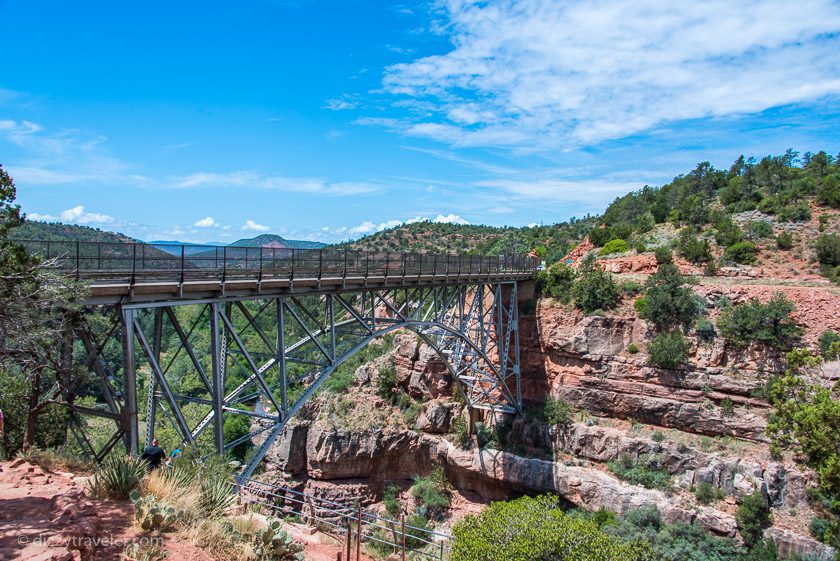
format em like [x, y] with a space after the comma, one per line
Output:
[667, 302]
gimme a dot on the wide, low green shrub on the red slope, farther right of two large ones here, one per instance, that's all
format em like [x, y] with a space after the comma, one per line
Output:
[770, 324]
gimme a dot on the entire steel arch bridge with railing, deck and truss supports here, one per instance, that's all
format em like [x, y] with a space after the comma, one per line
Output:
[263, 328]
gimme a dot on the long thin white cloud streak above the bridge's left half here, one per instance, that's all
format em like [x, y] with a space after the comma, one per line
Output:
[257, 180]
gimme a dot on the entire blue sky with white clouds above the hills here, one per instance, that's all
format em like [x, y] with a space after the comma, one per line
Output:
[212, 121]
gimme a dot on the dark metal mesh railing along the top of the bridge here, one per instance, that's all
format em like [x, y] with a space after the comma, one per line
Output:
[141, 261]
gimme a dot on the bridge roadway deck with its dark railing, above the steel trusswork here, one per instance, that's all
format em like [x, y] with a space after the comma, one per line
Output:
[134, 273]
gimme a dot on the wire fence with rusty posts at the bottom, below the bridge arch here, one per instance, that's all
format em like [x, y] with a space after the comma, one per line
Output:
[349, 522]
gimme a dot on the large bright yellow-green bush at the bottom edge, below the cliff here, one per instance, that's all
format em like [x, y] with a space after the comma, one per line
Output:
[534, 529]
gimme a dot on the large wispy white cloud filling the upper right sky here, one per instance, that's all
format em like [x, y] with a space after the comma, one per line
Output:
[540, 74]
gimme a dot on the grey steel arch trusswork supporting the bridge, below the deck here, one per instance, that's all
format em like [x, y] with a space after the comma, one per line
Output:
[265, 358]
